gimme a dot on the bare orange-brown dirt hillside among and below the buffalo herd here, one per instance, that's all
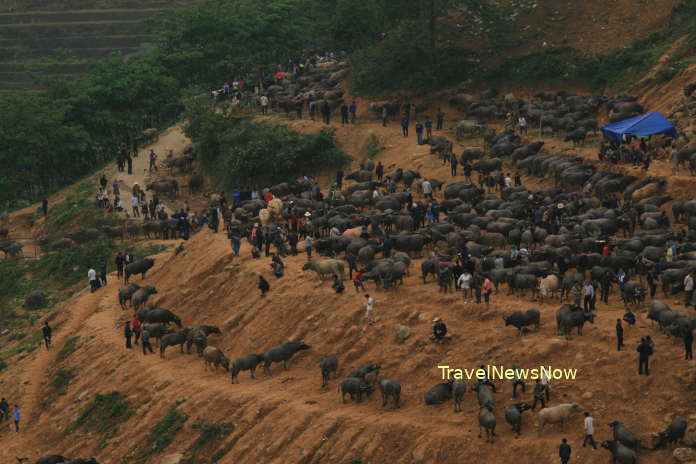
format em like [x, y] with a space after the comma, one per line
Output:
[288, 417]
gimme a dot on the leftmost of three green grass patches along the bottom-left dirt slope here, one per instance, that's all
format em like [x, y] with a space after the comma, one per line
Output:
[103, 414]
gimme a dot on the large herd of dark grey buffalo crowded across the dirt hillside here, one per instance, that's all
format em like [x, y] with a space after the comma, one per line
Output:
[590, 226]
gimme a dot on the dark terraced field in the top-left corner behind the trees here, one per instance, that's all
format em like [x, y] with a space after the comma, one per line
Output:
[31, 29]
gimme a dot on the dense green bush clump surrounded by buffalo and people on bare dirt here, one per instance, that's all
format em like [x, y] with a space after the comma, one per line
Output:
[242, 149]
